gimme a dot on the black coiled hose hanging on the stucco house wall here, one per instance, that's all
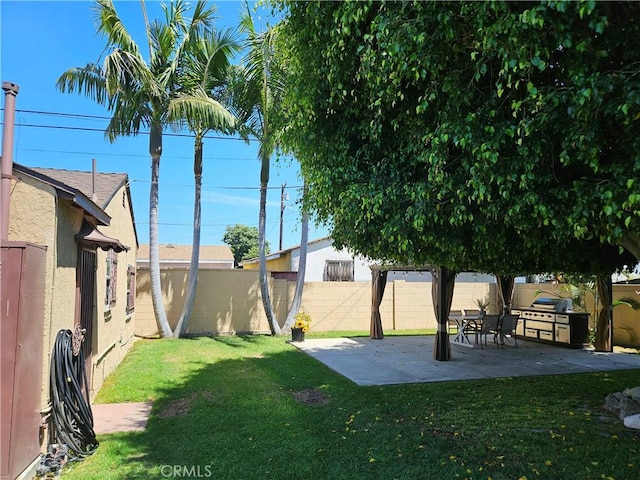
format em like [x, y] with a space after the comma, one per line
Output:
[71, 410]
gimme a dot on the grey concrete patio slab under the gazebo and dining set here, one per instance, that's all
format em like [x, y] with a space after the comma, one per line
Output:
[409, 359]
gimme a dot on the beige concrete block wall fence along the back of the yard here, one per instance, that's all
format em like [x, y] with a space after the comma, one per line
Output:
[229, 302]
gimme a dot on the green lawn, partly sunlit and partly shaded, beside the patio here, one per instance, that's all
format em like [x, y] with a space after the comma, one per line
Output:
[254, 407]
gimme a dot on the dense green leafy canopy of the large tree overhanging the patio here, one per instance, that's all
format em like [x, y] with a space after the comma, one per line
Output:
[495, 136]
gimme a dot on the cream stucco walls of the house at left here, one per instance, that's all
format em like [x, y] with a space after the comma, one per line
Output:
[39, 215]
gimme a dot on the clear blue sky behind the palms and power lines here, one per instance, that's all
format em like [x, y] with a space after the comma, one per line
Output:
[42, 39]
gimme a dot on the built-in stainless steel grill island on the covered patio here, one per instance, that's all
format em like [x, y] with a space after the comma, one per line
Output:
[552, 320]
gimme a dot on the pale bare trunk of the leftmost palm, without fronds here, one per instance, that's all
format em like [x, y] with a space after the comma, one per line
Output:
[155, 148]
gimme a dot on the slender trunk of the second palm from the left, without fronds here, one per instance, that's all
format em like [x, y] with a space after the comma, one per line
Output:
[192, 280]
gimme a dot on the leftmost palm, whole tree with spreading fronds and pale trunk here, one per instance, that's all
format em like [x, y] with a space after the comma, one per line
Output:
[139, 93]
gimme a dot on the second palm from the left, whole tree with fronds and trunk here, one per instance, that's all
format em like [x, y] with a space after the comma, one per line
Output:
[207, 72]
